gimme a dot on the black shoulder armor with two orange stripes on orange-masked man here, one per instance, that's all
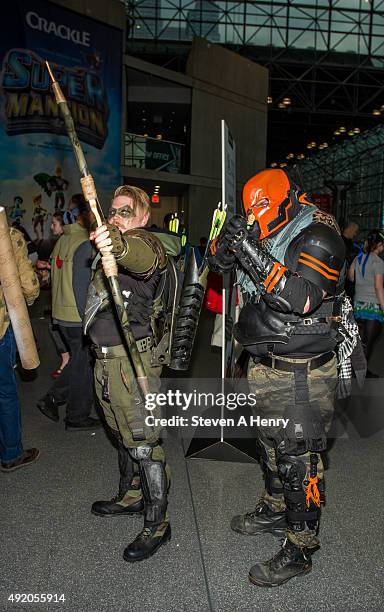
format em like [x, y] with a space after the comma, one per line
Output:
[321, 256]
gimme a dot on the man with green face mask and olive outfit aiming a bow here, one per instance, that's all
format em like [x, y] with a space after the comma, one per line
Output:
[142, 263]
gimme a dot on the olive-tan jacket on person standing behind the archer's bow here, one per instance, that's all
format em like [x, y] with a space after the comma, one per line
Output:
[65, 300]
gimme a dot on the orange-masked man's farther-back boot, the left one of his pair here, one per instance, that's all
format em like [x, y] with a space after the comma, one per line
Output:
[260, 520]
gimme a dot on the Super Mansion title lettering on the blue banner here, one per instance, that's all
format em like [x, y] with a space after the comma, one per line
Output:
[30, 106]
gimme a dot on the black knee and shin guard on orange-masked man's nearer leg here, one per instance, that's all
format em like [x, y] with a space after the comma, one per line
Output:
[293, 474]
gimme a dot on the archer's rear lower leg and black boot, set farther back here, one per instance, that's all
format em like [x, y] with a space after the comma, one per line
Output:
[129, 500]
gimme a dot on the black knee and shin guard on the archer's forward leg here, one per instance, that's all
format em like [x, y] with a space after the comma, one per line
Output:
[153, 480]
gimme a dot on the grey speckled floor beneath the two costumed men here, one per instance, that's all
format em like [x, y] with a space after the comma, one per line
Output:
[51, 543]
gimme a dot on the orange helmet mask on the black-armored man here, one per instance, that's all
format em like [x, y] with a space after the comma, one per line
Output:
[272, 200]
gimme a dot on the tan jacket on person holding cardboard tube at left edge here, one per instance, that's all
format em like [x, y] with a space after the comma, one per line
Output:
[28, 279]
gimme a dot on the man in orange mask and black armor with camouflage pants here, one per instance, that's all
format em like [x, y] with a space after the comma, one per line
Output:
[292, 260]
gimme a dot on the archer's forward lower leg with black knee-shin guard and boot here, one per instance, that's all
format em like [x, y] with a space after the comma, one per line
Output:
[157, 530]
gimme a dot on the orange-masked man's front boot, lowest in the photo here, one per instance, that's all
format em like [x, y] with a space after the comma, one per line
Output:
[289, 562]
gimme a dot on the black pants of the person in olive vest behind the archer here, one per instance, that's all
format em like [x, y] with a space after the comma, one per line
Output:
[75, 385]
